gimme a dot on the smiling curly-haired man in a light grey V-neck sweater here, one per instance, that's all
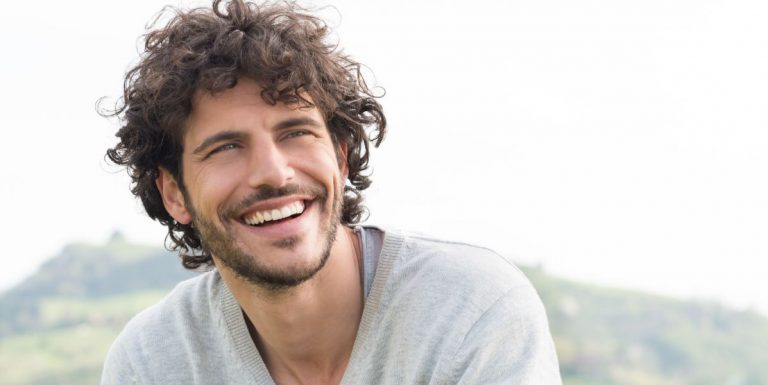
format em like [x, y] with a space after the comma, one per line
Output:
[245, 134]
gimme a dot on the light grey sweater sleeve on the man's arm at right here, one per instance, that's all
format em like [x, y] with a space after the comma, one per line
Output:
[509, 344]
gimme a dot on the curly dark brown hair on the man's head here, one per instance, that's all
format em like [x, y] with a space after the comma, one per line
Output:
[284, 49]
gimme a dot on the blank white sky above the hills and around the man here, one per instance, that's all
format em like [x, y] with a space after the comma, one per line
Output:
[615, 142]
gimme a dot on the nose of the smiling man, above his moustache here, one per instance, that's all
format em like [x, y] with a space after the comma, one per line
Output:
[269, 166]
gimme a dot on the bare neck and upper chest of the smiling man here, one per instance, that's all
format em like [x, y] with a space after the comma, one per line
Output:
[305, 334]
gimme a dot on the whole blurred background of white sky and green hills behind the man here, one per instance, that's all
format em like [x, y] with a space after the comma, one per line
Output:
[615, 149]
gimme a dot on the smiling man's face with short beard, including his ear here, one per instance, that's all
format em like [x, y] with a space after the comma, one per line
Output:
[263, 185]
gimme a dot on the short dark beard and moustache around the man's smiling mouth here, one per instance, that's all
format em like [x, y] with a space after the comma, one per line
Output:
[222, 243]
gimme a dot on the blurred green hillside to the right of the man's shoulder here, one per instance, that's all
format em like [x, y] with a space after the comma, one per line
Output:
[611, 336]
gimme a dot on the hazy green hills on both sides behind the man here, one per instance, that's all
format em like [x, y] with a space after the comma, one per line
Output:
[56, 327]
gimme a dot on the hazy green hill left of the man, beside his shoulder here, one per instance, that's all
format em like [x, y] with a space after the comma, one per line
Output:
[56, 326]
